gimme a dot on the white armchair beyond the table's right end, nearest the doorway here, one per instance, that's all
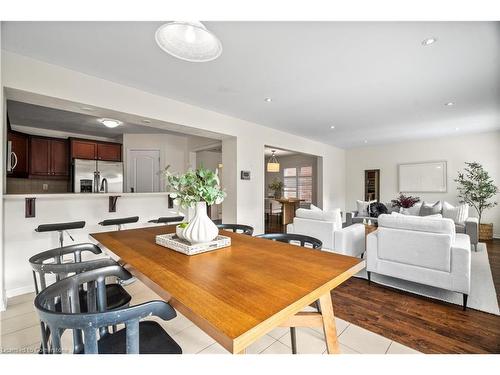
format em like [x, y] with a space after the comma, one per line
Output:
[327, 227]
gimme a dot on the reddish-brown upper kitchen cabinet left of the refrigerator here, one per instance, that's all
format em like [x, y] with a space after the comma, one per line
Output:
[49, 158]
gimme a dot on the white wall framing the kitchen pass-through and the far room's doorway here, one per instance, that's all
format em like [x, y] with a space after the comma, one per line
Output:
[31, 75]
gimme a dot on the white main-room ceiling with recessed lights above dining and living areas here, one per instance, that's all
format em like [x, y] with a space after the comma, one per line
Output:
[373, 81]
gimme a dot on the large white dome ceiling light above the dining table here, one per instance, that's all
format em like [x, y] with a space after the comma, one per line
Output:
[189, 41]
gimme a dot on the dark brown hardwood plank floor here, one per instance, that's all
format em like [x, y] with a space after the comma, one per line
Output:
[421, 323]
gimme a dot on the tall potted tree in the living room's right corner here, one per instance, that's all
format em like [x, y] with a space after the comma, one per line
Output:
[476, 188]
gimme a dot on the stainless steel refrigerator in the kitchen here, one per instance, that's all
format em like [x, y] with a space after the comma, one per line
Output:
[95, 176]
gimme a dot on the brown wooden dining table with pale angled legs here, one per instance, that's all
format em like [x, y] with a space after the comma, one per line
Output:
[239, 293]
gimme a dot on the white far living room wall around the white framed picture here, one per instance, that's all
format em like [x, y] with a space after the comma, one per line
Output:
[483, 148]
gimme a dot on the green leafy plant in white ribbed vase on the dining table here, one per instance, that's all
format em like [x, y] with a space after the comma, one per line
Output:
[196, 189]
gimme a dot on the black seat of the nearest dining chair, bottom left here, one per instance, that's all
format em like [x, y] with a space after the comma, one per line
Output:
[152, 340]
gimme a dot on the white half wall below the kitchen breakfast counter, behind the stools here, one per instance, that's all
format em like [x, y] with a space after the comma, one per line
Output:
[21, 241]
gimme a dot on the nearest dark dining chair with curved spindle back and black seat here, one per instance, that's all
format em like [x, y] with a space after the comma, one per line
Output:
[90, 333]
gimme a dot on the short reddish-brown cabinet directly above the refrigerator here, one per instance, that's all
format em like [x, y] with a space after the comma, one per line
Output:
[95, 150]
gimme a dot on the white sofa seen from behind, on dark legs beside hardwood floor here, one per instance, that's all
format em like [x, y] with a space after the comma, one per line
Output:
[423, 250]
